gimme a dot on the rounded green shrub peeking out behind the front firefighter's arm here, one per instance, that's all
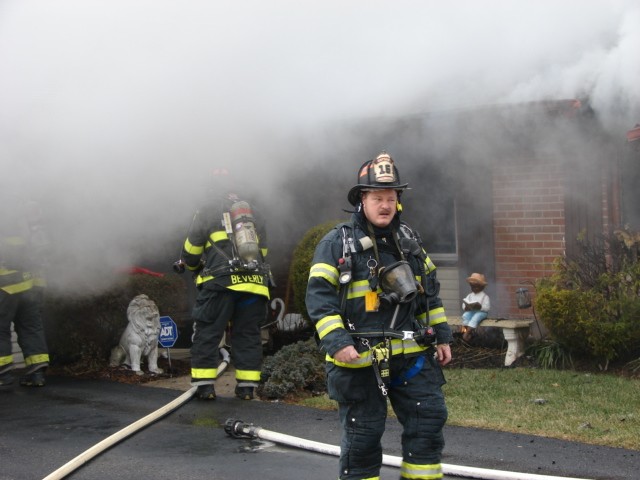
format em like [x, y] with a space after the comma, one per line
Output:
[301, 263]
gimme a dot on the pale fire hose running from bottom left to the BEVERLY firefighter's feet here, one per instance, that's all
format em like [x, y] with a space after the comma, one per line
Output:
[129, 430]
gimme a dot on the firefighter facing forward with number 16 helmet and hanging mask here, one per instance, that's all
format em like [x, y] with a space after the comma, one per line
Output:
[373, 297]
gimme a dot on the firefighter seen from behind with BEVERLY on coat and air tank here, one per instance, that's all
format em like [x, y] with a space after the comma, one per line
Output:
[225, 249]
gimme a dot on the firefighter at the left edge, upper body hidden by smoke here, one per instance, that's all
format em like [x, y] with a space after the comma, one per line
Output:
[21, 238]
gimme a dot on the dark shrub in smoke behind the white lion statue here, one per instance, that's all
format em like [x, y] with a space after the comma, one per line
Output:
[84, 329]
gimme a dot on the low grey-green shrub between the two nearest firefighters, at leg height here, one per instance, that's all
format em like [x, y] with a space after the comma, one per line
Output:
[295, 369]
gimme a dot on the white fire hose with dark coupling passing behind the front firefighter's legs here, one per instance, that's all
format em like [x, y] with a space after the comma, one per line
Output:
[240, 429]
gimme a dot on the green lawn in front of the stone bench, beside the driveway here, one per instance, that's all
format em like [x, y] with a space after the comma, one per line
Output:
[595, 408]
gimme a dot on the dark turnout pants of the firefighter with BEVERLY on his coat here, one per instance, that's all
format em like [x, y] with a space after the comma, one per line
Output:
[213, 311]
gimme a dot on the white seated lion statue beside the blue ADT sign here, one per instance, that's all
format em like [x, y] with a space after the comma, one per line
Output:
[140, 338]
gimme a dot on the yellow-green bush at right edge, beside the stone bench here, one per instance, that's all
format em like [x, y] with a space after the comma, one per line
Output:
[590, 306]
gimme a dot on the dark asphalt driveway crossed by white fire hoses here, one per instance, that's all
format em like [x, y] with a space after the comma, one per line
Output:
[44, 429]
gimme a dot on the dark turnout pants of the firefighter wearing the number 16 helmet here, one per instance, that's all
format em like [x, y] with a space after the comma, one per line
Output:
[417, 402]
